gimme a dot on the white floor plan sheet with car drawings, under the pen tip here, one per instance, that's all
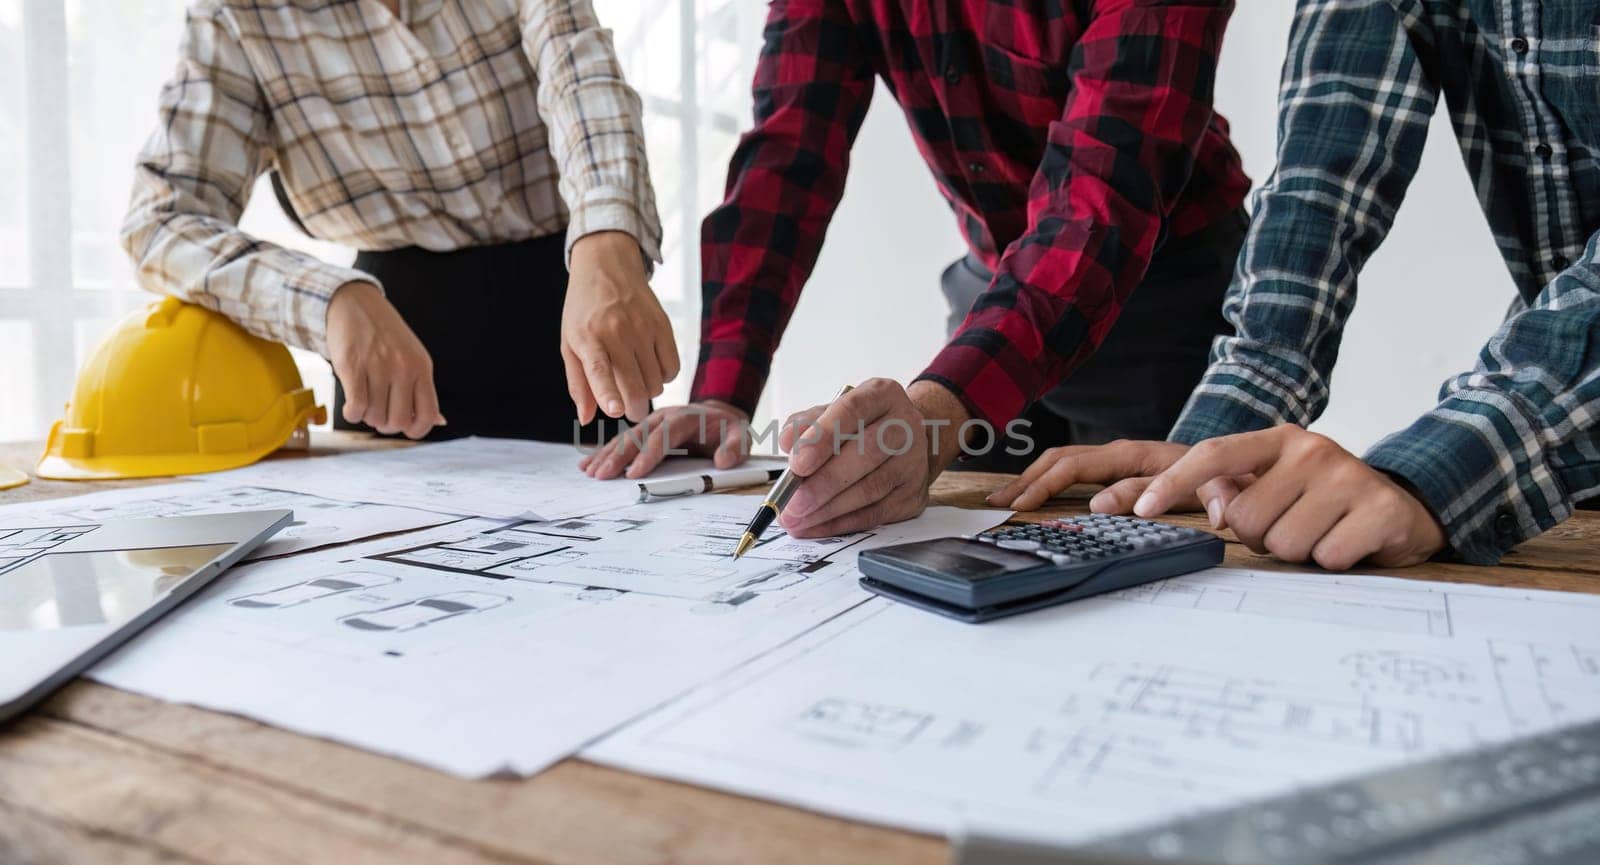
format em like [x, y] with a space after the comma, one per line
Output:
[500, 648]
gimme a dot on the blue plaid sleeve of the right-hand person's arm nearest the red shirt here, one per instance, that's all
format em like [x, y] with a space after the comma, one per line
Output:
[1353, 124]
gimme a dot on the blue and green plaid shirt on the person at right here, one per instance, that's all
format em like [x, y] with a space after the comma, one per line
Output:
[1516, 442]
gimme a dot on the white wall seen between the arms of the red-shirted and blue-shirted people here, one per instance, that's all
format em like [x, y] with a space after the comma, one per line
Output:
[1430, 300]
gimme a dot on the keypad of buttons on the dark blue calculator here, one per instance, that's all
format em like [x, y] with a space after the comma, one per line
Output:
[1090, 540]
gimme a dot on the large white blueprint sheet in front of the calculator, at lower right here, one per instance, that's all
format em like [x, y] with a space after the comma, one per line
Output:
[1127, 709]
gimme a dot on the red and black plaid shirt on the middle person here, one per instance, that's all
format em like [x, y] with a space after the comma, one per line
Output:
[1068, 135]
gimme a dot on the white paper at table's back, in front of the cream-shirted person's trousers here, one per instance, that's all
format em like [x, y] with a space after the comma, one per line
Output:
[473, 477]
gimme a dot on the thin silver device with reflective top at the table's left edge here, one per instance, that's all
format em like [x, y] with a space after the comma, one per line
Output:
[71, 594]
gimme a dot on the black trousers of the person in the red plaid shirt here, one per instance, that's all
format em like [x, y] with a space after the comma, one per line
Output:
[1138, 381]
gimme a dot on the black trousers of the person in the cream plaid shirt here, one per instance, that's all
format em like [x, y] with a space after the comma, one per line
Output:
[492, 321]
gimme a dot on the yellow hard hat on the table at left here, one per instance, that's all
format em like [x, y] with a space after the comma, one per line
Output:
[178, 389]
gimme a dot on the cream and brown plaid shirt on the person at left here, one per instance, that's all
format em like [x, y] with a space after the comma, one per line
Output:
[455, 124]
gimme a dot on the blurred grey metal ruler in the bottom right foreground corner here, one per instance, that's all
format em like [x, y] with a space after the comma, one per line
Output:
[1529, 802]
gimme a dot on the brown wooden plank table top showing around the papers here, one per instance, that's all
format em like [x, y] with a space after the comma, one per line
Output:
[106, 776]
